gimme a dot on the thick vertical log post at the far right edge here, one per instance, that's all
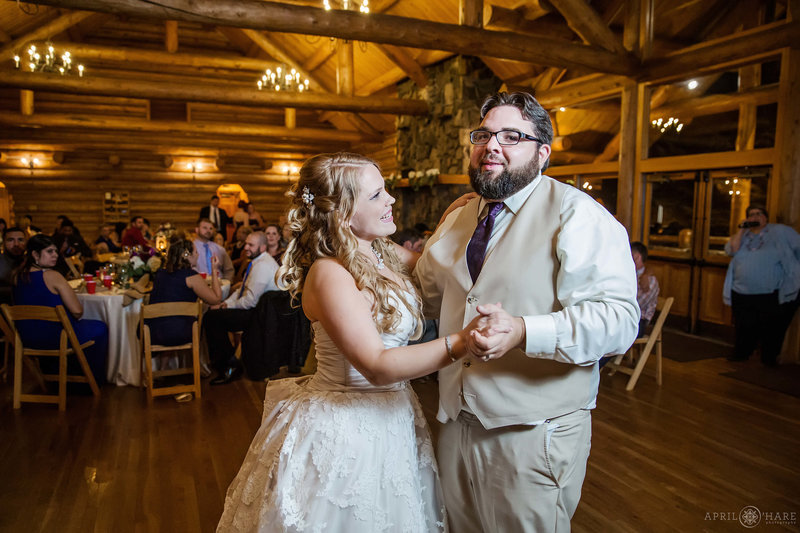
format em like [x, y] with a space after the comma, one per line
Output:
[784, 187]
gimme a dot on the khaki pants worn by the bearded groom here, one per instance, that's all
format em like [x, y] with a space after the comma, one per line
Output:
[516, 478]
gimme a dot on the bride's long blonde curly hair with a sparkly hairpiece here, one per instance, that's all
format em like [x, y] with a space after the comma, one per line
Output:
[320, 229]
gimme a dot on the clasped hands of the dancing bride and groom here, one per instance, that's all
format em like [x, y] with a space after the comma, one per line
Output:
[494, 332]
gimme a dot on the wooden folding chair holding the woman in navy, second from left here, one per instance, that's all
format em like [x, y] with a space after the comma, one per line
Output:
[193, 309]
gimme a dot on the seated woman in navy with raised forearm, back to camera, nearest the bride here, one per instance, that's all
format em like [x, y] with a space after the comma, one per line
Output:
[179, 282]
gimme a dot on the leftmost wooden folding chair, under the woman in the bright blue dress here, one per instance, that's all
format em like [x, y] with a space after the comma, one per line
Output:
[68, 345]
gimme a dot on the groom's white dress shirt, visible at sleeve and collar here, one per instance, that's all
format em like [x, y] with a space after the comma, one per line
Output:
[592, 250]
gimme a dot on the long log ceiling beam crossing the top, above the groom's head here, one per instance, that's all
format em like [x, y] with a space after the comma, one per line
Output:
[379, 28]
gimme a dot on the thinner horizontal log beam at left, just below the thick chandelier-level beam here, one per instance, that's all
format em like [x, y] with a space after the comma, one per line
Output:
[174, 126]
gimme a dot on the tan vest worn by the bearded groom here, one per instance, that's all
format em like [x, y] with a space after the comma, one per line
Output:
[521, 274]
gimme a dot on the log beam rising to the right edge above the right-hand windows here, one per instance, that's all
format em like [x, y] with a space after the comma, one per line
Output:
[742, 48]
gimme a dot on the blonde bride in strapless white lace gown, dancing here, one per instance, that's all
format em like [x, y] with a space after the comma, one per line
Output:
[348, 449]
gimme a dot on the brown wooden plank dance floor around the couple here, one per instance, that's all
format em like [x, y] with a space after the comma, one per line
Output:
[663, 459]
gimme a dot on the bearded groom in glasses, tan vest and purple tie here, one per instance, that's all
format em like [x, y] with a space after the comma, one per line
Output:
[517, 432]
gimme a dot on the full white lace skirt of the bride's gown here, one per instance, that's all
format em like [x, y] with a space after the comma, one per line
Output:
[337, 462]
